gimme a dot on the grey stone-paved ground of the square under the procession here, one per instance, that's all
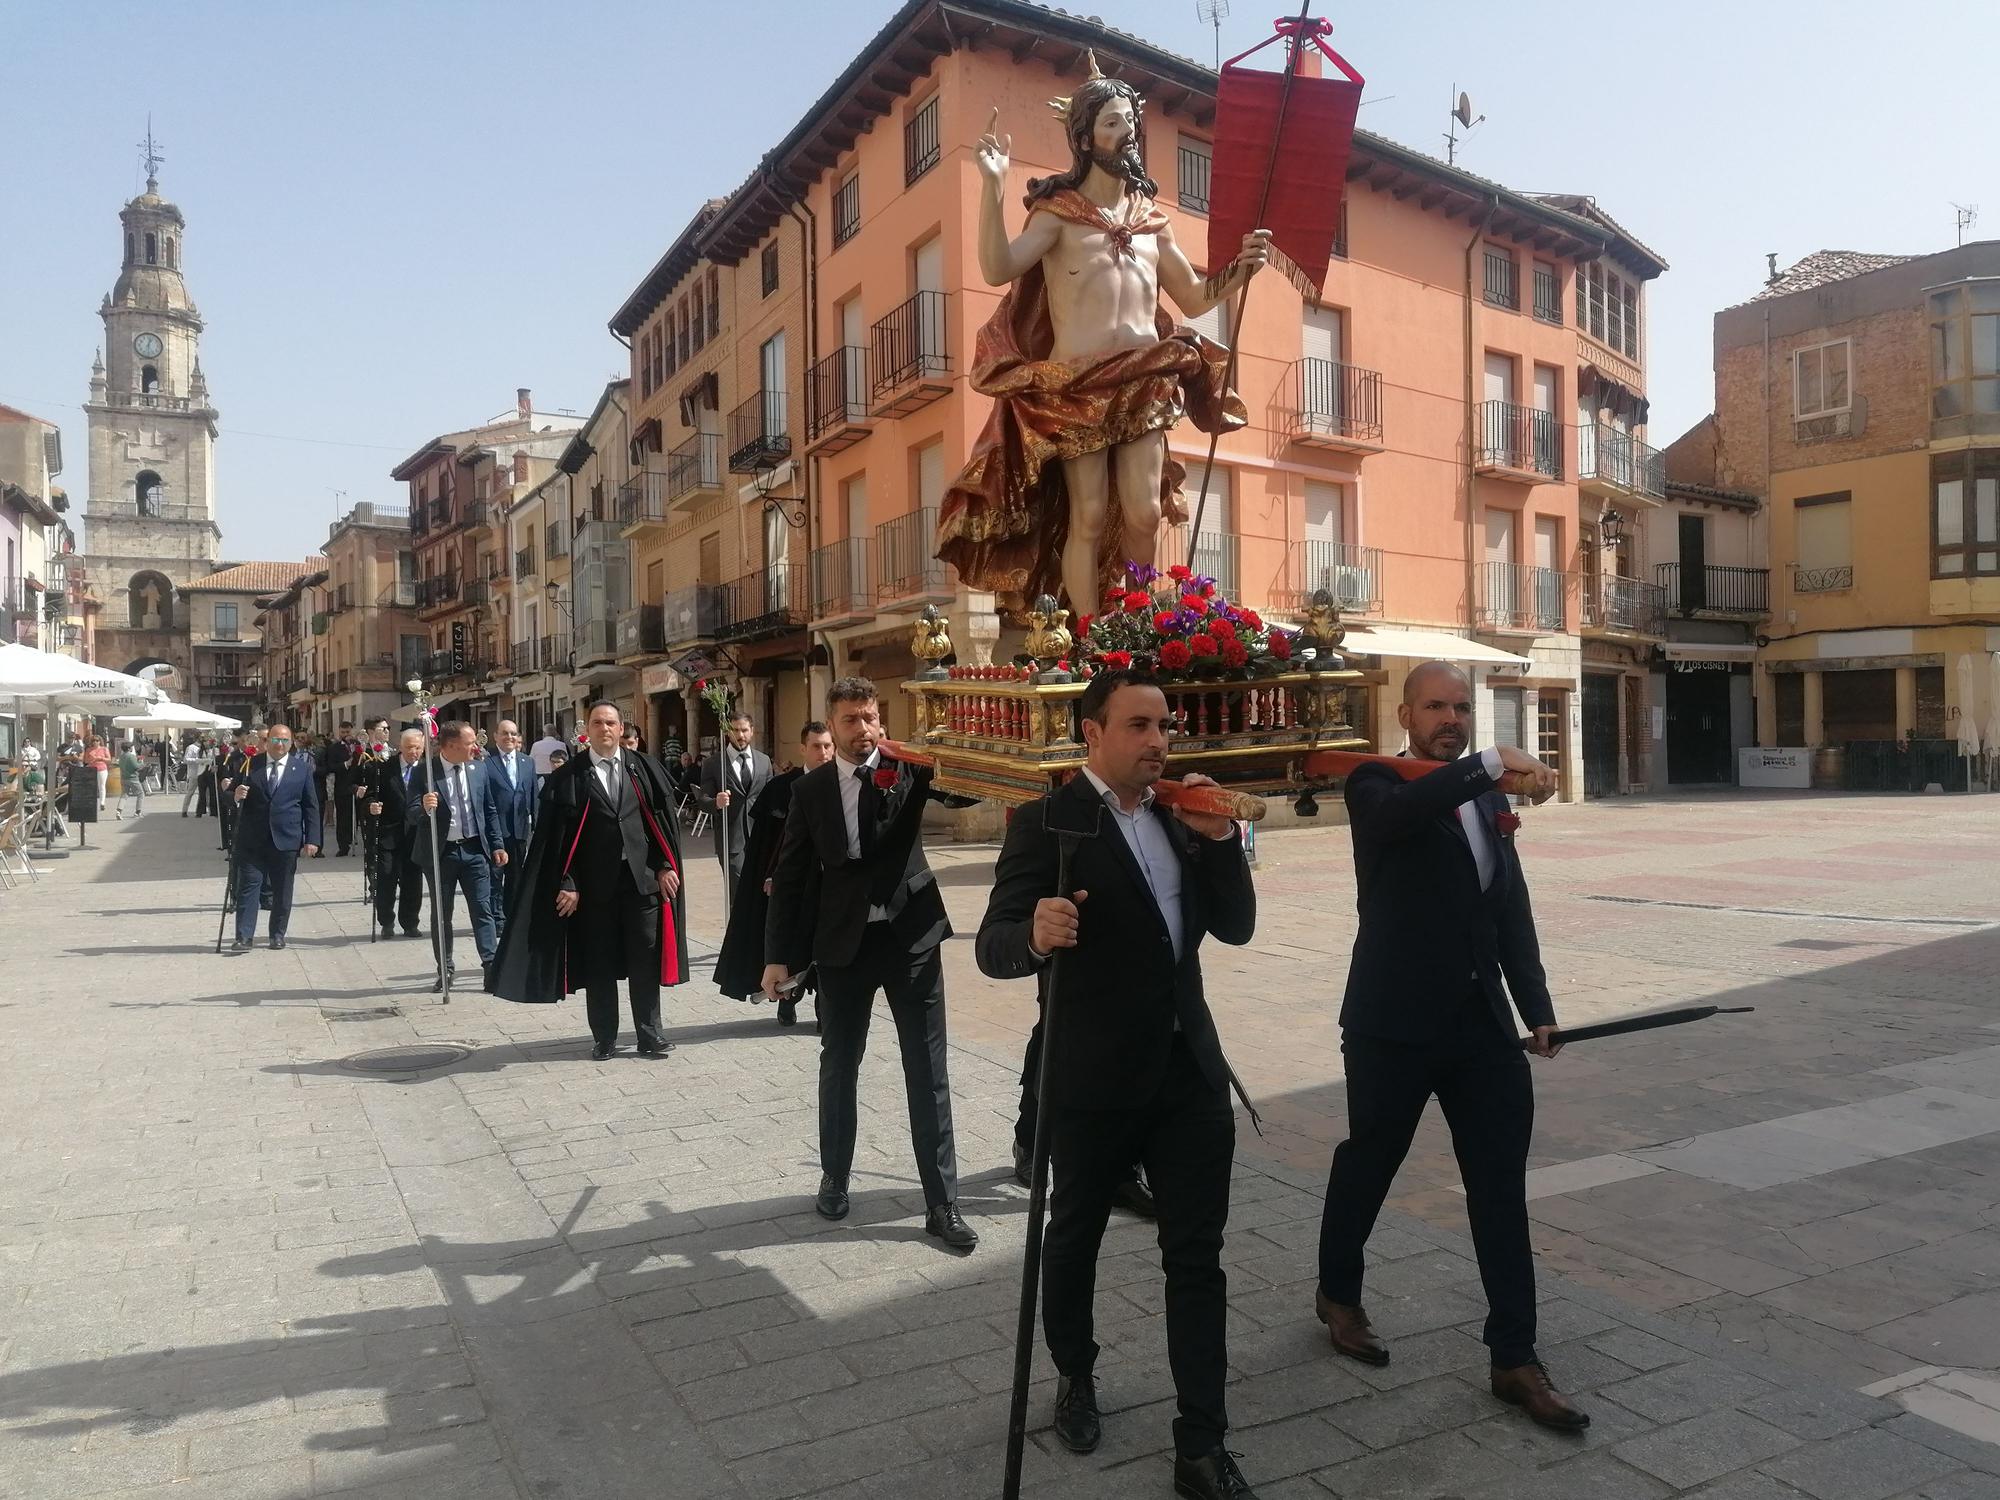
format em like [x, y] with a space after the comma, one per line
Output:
[235, 1267]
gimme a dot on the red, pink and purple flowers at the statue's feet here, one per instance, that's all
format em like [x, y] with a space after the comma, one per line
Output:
[1183, 627]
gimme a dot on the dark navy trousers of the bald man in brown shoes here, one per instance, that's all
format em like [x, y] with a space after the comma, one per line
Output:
[1481, 1081]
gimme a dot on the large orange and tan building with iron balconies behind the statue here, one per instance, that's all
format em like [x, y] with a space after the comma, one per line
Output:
[1437, 441]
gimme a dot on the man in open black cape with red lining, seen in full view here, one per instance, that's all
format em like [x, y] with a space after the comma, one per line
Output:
[601, 897]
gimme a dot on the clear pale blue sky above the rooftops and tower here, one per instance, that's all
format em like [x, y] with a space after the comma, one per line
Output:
[401, 213]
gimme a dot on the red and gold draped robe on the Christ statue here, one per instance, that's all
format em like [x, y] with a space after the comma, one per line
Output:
[1007, 517]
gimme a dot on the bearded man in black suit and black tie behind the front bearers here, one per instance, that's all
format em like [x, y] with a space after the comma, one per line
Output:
[855, 831]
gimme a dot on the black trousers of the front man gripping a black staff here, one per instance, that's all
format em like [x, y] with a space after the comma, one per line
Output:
[1187, 1141]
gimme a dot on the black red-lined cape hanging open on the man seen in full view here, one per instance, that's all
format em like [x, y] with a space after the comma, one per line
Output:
[535, 947]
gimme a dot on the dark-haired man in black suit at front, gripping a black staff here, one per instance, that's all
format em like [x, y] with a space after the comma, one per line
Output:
[1137, 1071]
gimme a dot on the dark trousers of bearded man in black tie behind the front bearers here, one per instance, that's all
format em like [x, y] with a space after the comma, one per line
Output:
[915, 989]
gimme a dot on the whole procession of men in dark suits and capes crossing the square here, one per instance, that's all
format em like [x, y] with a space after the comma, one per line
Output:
[569, 861]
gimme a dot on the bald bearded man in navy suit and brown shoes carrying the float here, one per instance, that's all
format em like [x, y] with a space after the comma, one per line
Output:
[1445, 941]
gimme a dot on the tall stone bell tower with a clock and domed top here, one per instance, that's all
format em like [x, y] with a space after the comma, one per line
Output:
[149, 519]
